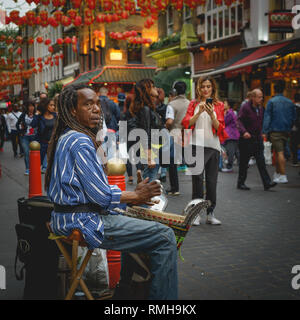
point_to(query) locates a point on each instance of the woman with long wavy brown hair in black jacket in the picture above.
(142, 108)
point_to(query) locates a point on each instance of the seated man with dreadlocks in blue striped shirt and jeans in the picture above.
(77, 185)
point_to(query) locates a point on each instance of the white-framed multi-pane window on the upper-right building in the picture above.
(222, 21)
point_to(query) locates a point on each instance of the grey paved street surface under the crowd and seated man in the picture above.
(249, 257)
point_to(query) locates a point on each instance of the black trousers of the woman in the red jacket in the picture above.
(211, 165)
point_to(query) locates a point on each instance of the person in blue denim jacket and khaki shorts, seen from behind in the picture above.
(279, 118)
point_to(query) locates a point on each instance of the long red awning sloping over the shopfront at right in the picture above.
(244, 61)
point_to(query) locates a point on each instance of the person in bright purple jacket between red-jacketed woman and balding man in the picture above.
(231, 144)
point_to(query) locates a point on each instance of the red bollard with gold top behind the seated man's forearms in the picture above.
(116, 170)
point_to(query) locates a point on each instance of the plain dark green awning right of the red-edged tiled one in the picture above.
(165, 79)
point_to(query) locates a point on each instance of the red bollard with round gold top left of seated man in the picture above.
(35, 176)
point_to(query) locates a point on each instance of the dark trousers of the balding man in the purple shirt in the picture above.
(248, 148)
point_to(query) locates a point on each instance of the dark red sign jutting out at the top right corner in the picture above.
(281, 22)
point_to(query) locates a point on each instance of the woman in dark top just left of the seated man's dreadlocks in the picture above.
(44, 122)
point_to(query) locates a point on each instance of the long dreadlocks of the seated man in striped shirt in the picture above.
(68, 100)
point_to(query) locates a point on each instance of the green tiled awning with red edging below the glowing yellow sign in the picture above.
(123, 74)
